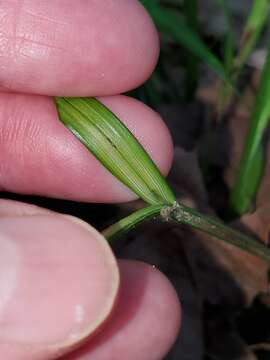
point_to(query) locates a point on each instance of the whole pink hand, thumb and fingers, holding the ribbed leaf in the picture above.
(61, 288)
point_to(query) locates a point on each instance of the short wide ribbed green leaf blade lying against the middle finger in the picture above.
(115, 146)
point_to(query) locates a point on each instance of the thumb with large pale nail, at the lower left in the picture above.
(58, 284)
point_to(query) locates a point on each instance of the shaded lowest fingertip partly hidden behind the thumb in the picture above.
(145, 321)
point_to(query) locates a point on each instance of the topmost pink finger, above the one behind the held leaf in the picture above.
(81, 48)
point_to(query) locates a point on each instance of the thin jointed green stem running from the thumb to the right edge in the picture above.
(188, 216)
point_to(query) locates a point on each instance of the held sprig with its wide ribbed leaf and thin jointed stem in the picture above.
(119, 151)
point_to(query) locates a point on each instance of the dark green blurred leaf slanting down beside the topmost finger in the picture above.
(174, 25)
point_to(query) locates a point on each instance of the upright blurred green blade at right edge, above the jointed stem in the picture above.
(251, 164)
